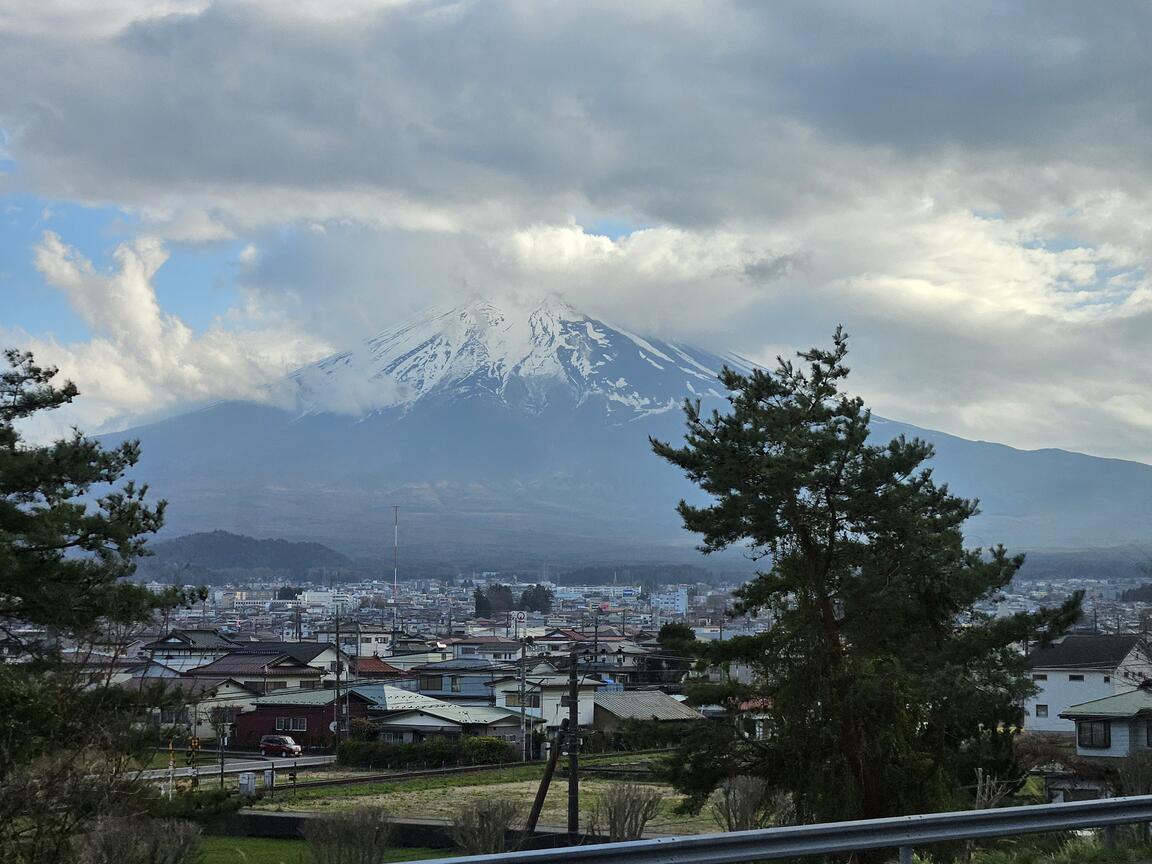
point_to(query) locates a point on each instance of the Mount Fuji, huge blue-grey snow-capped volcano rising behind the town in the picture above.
(511, 434)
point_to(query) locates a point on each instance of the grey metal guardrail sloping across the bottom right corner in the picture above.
(904, 833)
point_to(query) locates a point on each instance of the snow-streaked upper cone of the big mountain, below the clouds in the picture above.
(526, 358)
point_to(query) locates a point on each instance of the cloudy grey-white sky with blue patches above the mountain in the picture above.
(199, 196)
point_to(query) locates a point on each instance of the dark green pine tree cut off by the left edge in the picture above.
(64, 558)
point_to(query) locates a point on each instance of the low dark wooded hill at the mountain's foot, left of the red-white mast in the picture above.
(225, 551)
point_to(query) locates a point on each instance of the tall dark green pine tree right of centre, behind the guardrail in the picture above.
(881, 688)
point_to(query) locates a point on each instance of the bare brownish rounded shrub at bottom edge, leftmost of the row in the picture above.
(139, 842)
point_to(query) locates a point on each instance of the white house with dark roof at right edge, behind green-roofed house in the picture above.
(1080, 669)
